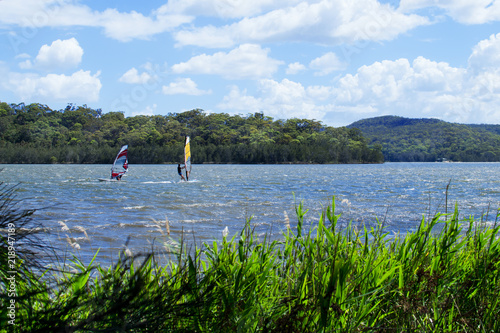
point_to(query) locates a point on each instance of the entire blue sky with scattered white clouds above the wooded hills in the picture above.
(336, 61)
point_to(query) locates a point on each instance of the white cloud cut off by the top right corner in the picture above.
(463, 11)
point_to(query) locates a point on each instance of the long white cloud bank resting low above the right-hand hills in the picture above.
(411, 88)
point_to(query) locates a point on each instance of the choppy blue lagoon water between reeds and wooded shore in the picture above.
(219, 196)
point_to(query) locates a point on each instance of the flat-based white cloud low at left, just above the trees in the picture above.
(81, 86)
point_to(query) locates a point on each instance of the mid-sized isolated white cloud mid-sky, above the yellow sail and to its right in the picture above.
(248, 61)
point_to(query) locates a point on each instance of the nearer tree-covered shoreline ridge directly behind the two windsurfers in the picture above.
(37, 134)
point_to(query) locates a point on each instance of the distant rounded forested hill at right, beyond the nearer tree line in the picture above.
(428, 140)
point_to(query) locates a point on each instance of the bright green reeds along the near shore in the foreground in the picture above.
(443, 277)
